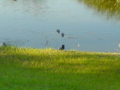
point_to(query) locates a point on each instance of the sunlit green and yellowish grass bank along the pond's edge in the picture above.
(49, 69)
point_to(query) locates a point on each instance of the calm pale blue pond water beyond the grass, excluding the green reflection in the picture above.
(33, 23)
